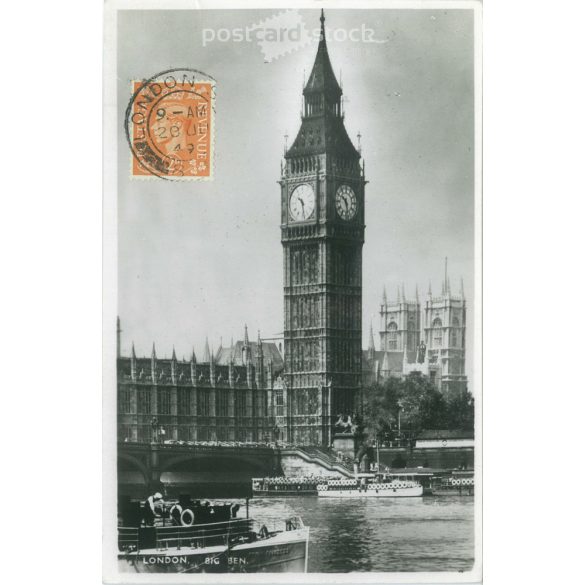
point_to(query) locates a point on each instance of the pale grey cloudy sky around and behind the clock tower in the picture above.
(200, 259)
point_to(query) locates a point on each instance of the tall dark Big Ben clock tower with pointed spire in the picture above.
(322, 222)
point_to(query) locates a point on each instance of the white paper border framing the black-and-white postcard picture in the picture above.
(109, 454)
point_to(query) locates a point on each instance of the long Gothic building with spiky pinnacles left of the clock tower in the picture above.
(233, 394)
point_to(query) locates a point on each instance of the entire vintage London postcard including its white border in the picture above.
(293, 271)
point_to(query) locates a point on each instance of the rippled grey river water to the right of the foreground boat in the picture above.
(380, 534)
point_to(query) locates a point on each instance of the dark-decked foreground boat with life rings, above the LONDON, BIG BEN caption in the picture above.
(197, 538)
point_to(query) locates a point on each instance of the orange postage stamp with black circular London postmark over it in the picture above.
(169, 125)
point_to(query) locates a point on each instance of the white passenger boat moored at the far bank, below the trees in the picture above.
(370, 485)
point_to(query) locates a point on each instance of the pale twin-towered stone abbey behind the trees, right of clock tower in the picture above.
(427, 337)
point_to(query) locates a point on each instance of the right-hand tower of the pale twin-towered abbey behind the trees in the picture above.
(444, 335)
